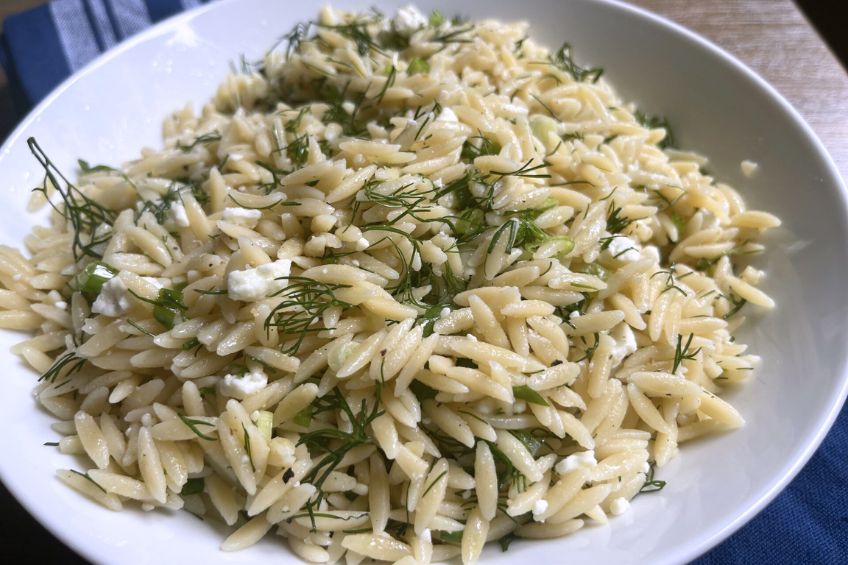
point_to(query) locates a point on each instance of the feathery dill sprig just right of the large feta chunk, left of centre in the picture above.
(303, 303)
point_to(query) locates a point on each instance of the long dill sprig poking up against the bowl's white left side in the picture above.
(83, 213)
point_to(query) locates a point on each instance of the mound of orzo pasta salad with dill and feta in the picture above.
(402, 287)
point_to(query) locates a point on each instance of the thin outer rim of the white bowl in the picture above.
(700, 544)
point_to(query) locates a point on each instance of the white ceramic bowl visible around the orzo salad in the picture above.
(107, 112)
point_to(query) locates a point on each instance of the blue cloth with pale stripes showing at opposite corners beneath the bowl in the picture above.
(807, 523)
